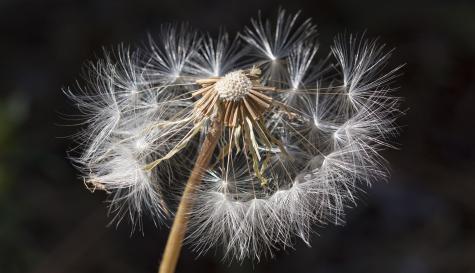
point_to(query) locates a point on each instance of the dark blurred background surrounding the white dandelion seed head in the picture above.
(423, 220)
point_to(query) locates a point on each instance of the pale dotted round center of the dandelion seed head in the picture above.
(233, 86)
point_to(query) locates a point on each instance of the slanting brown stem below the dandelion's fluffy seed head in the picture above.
(177, 232)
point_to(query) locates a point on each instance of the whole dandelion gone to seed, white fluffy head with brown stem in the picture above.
(278, 140)
